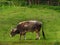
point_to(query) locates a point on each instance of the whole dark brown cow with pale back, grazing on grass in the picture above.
(28, 26)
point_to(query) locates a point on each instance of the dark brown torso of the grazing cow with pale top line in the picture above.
(29, 25)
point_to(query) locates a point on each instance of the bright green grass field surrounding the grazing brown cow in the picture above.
(11, 16)
